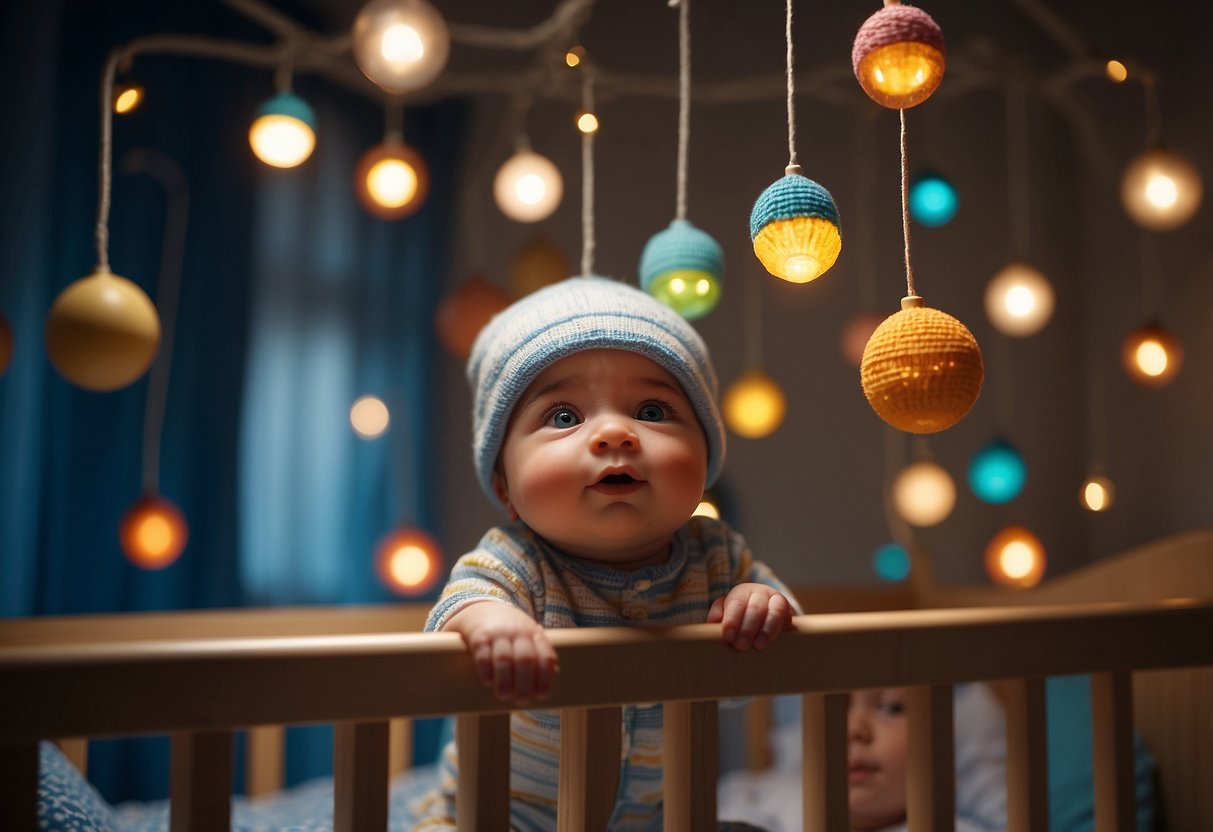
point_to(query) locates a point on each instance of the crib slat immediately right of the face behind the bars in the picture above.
(930, 782)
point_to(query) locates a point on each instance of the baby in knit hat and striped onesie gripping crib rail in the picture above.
(596, 428)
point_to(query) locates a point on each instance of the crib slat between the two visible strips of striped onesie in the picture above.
(590, 760)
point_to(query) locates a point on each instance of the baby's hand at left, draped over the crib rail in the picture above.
(511, 651)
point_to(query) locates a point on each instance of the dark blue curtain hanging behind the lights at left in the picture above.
(294, 303)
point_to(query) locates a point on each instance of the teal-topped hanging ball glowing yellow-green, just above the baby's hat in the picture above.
(684, 267)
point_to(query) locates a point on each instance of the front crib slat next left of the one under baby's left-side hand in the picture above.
(360, 777)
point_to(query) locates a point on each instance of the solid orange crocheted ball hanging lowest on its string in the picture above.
(922, 369)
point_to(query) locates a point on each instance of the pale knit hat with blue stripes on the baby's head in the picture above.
(571, 317)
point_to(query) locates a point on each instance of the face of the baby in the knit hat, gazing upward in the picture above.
(605, 458)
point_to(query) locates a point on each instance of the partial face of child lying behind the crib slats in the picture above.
(876, 757)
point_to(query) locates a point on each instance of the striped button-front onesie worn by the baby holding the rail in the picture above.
(512, 565)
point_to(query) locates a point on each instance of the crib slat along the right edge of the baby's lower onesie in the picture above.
(692, 761)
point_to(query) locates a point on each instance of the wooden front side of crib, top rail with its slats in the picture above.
(202, 689)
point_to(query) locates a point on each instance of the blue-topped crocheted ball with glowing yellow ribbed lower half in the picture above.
(795, 229)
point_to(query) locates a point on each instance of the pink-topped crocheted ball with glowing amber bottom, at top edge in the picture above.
(898, 56)
